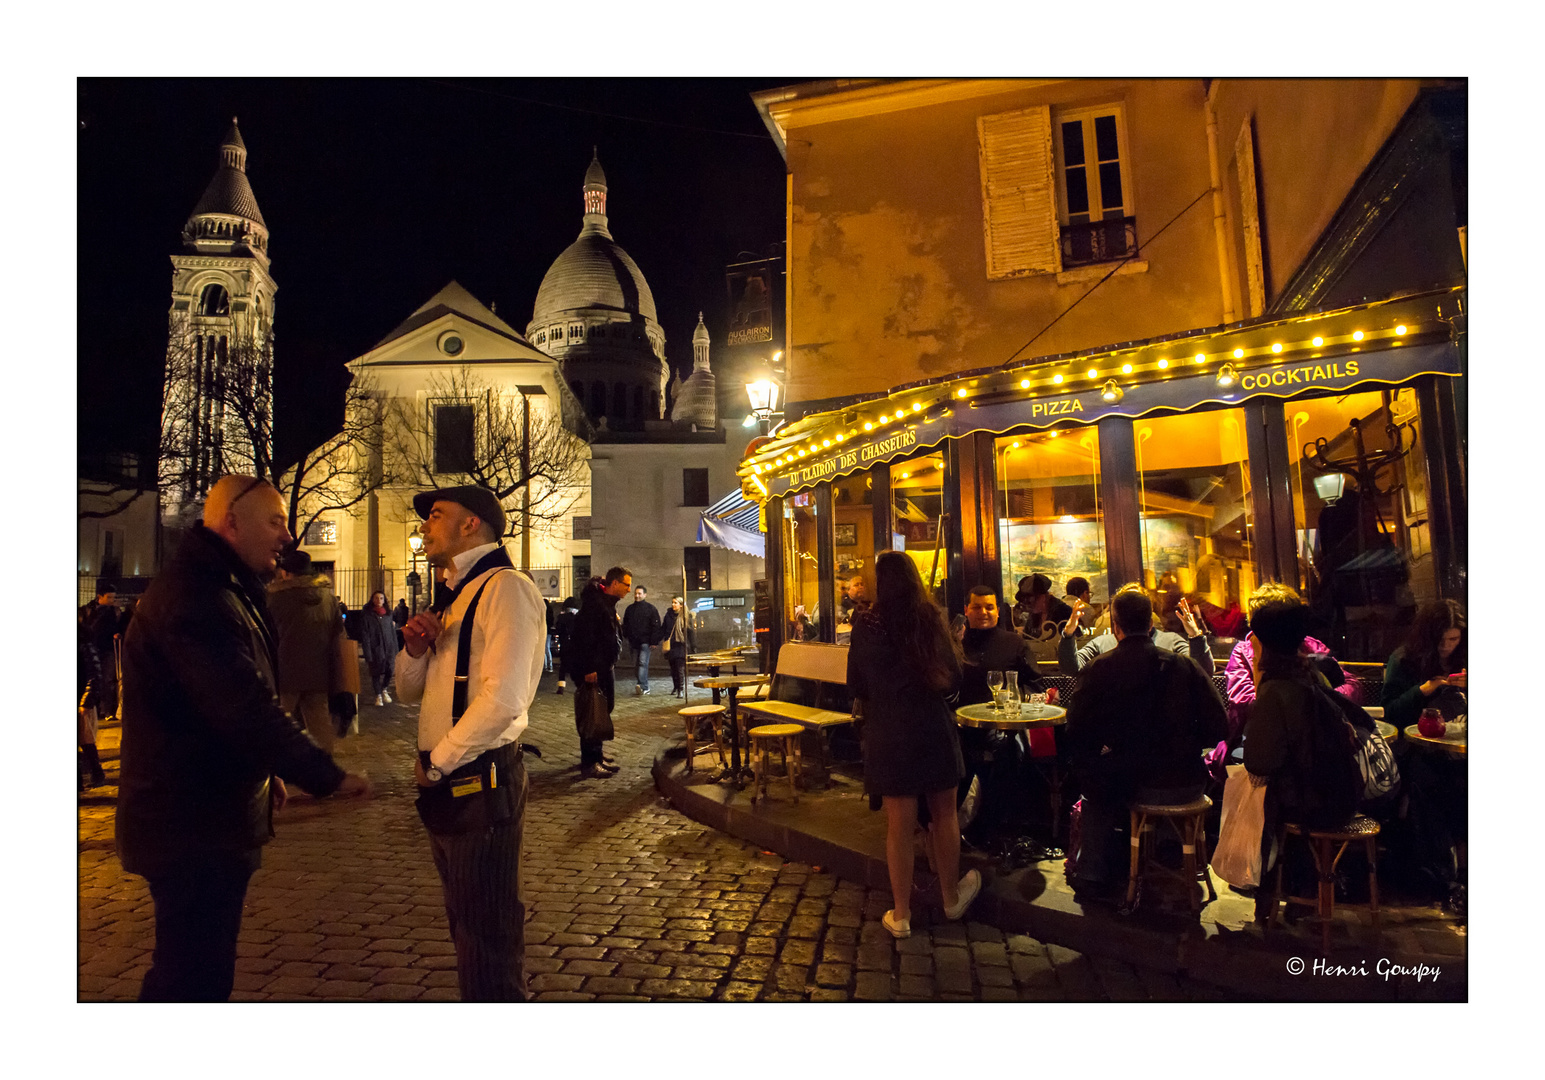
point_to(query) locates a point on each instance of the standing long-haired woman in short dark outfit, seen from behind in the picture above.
(903, 665)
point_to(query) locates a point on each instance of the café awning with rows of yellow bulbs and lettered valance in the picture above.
(1387, 344)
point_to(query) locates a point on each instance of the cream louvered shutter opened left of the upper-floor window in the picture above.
(1019, 194)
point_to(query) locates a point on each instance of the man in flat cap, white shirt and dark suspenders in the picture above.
(475, 670)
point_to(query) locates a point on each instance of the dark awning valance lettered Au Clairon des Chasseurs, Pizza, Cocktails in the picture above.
(1181, 393)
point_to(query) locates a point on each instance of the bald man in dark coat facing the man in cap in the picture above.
(206, 745)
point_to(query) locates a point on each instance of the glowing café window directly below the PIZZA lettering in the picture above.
(1053, 521)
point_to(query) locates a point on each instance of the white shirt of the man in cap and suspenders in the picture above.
(509, 637)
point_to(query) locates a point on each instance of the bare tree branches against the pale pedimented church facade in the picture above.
(531, 457)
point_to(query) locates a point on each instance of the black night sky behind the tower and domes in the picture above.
(379, 192)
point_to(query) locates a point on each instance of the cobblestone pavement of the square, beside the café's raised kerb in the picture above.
(628, 900)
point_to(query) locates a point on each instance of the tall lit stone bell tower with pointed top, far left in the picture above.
(217, 409)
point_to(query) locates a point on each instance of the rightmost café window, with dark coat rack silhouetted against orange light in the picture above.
(1365, 557)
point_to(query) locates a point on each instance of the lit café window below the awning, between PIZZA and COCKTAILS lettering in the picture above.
(1194, 489)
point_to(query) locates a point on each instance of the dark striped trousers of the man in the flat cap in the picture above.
(481, 877)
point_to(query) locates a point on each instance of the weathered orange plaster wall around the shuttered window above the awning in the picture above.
(888, 265)
